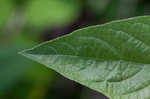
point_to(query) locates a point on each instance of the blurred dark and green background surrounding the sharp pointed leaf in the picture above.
(25, 23)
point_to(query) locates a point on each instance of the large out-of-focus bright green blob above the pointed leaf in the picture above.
(49, 12)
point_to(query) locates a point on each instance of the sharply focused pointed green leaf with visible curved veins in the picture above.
(113, 58)
